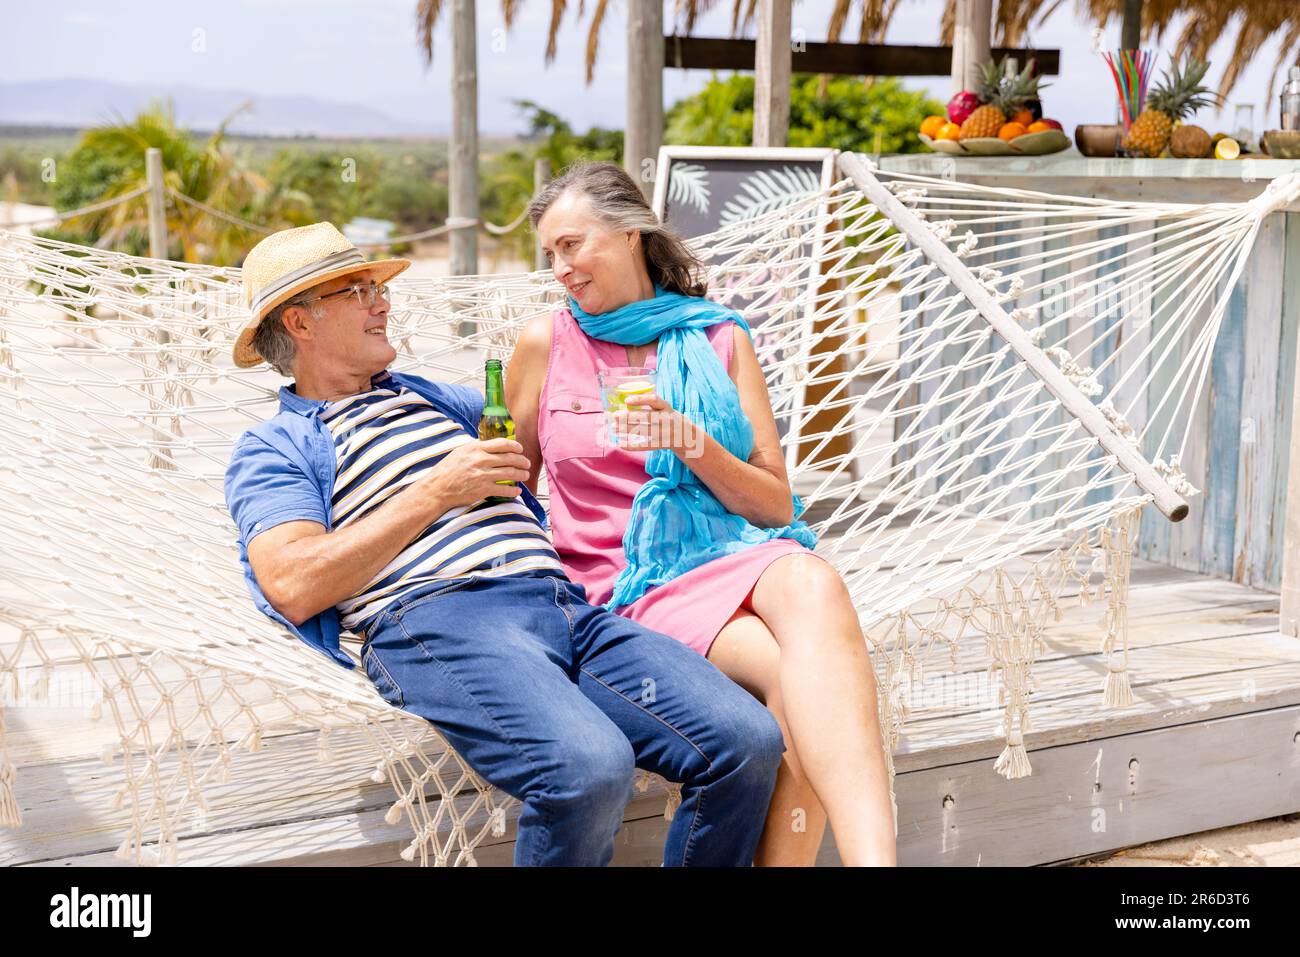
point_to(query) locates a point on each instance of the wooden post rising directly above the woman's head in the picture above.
(644, 133)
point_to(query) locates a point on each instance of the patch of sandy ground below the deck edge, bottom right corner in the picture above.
(1272, 843)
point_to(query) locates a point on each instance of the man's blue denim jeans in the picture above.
(554, 701)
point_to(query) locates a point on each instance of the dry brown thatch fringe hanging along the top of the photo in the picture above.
(1199, 24)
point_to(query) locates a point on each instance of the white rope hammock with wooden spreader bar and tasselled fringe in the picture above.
(978, 391)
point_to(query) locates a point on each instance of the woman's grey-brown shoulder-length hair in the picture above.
(619, 205)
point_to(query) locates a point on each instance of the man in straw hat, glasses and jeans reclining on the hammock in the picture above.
(363, 505)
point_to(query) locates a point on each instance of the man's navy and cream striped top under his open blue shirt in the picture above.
(384, 441)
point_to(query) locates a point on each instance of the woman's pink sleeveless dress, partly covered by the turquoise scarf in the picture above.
(592, 483)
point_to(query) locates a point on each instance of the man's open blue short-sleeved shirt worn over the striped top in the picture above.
(283, 470)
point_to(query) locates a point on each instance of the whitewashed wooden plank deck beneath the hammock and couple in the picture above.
(1210, 742)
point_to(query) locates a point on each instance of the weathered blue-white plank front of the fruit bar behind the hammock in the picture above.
(1238, 447)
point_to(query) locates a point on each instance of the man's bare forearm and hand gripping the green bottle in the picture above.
(305, 570)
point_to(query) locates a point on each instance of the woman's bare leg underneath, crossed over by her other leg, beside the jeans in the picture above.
(747, 653)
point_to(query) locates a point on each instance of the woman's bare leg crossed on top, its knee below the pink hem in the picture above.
(829, 695)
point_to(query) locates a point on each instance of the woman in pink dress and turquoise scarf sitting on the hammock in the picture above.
(688, 525)
